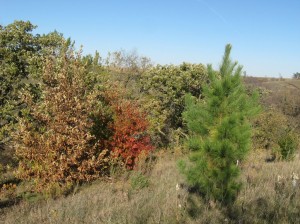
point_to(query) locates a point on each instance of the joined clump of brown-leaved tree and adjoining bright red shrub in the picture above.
(76, 132)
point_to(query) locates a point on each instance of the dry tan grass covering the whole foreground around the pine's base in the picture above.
(262, 200)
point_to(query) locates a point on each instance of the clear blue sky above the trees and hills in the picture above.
(265, 34)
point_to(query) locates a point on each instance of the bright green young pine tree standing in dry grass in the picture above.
(219, 131)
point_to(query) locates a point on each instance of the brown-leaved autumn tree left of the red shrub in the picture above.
(54, 143)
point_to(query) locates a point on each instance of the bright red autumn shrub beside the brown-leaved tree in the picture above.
(129, 130)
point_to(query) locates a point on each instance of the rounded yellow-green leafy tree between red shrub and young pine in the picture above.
(163, 89)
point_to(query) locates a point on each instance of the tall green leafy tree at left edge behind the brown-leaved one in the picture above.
(22, 56)
